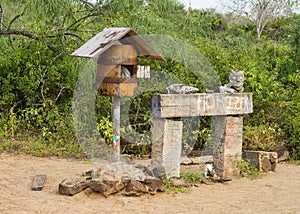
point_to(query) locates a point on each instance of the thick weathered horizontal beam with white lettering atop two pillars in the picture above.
(191, 105)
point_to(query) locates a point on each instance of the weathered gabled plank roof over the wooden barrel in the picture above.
(109, 36)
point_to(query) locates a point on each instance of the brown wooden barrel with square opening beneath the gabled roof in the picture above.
(117, 71)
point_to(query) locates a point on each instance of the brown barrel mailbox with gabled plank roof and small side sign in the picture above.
(118, 50)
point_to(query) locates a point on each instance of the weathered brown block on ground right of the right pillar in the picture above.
(264, 161)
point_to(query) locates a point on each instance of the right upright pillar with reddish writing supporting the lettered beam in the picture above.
(228, 132)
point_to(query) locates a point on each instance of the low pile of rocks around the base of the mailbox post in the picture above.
(117, 178)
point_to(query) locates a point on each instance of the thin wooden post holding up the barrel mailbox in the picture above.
(116, 127)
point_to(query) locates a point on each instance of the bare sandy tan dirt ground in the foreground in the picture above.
(276, 192)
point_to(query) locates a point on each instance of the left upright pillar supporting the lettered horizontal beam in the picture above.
(166, 145)
